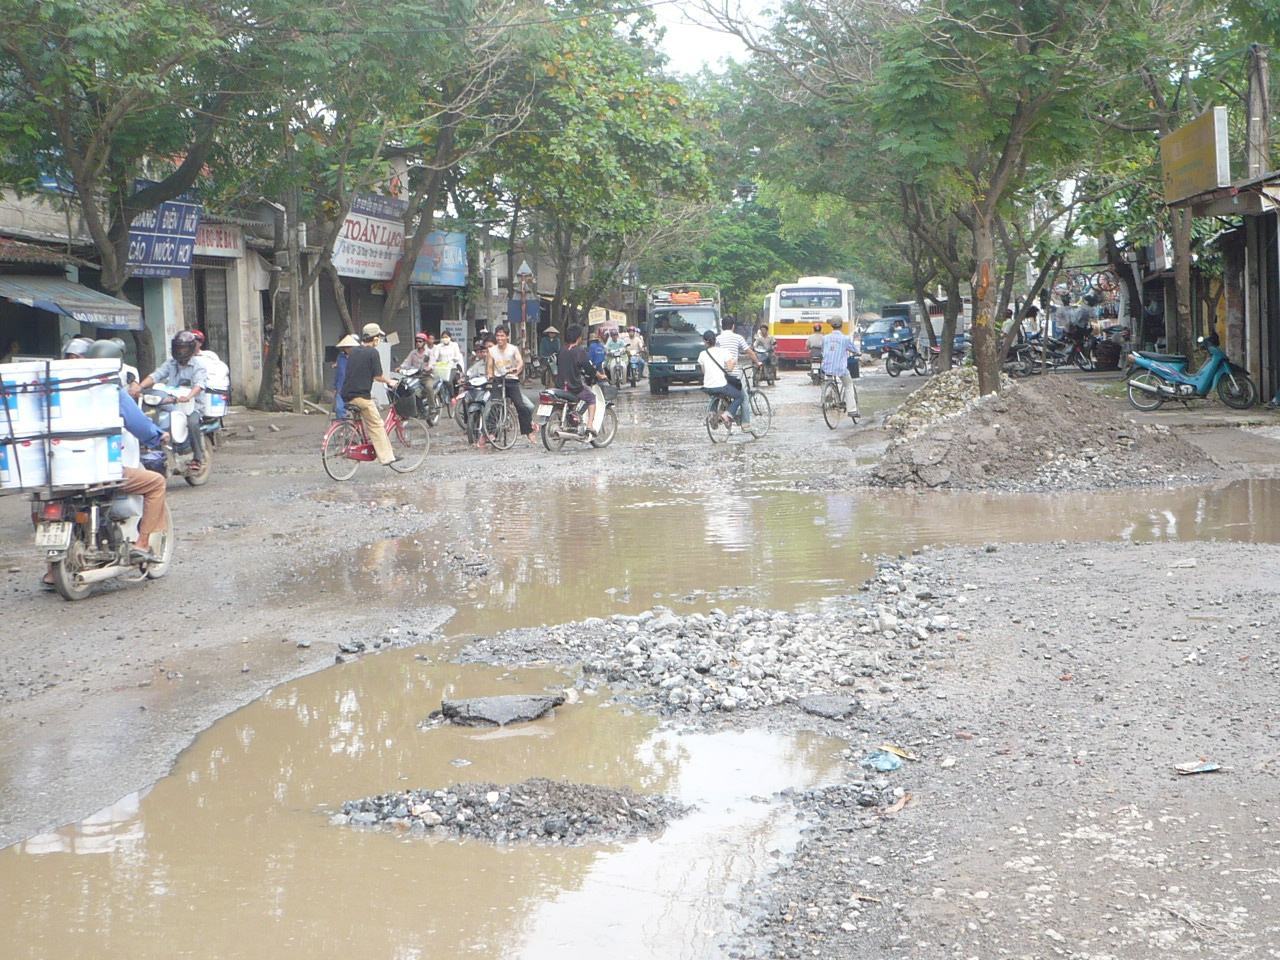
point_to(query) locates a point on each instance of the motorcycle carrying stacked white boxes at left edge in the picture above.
(88, 536)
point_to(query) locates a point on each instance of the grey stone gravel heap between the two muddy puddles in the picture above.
(701, 664)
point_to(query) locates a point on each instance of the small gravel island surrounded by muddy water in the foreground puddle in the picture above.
(536, 811)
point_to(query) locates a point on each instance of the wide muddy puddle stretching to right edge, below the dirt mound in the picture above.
(625, 547)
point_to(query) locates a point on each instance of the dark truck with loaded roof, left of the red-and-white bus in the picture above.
(676, 317)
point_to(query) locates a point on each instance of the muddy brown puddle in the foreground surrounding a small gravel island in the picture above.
(234, 856)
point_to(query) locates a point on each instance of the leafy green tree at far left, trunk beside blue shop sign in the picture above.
(107, 95)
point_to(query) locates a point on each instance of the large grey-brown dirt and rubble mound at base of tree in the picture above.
(1049, 432)
